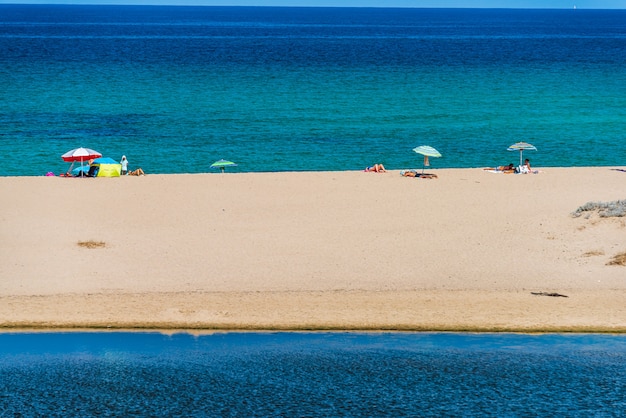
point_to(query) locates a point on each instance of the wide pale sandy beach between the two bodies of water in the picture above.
(471, 250)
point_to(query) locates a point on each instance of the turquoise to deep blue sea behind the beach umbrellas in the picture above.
(287, 89)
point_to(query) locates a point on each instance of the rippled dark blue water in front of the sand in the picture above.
(312, 374)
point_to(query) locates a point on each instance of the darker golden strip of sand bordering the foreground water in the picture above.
(368, 312)
